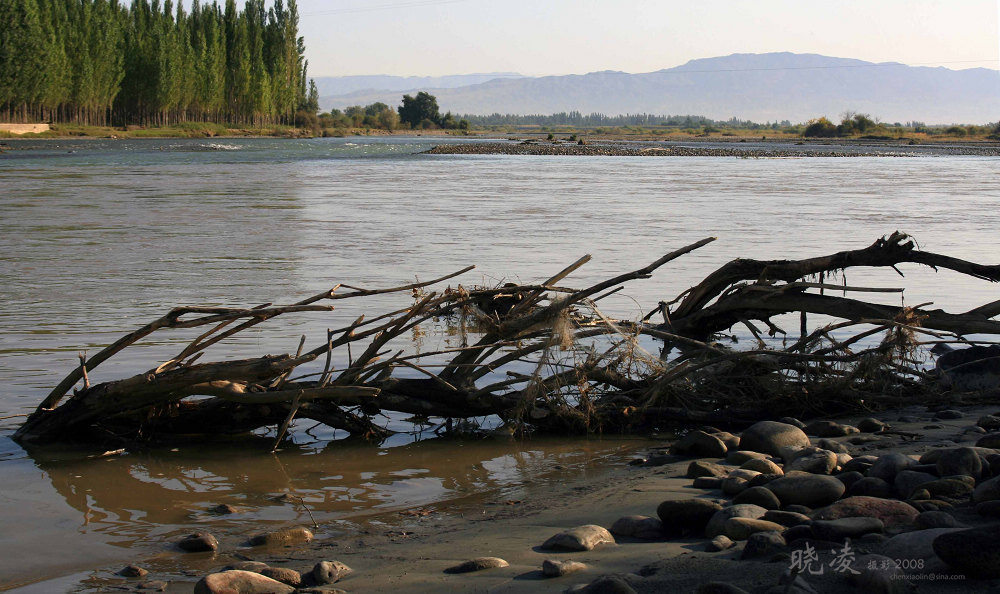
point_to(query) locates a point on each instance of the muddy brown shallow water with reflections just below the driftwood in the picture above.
(137, 497)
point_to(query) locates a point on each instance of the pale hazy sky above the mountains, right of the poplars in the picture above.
(539, 37)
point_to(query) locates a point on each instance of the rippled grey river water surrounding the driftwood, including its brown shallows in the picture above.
(99, 237)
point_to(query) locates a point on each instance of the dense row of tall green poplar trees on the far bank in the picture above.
(103, 62)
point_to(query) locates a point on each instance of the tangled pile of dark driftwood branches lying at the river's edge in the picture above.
(543, 357)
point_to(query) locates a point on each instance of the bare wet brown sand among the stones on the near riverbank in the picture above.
(409, 551)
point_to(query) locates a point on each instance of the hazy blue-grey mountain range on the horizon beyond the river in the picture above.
(758, 87)
